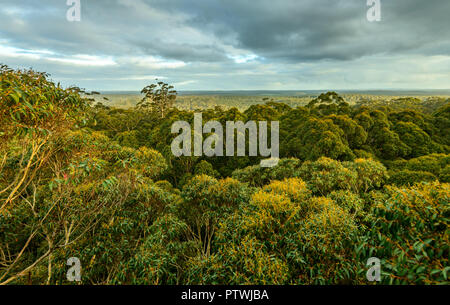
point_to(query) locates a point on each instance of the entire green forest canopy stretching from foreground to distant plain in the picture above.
(101, 184)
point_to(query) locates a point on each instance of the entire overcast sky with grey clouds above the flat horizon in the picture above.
(231, 44)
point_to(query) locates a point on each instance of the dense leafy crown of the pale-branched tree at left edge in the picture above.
(30, 104)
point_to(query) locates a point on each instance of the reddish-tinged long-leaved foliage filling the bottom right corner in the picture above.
(411, 235)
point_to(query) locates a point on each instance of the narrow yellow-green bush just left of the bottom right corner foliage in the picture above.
(325, 240)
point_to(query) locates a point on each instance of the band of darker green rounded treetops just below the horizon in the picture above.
(328, 126)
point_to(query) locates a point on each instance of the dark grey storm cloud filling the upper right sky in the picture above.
(312, 30)
